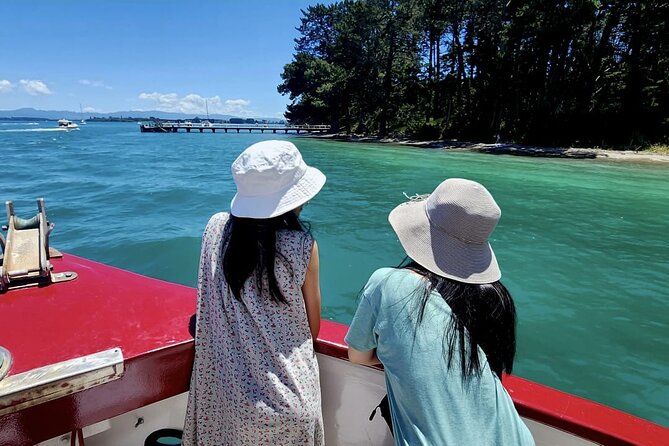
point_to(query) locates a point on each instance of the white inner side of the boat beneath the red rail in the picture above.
(350, 393)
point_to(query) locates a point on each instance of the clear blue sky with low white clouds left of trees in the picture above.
(147, 55)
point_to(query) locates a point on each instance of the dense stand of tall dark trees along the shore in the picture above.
(533, 71)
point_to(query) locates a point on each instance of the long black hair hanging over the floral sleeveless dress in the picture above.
(250, 249)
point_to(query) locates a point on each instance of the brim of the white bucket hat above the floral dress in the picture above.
(268, 206)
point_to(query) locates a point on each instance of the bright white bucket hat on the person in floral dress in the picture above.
(272, 179)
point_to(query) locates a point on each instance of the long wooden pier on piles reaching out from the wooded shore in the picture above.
(188, 127)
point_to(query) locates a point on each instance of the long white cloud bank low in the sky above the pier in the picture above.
(196, 104)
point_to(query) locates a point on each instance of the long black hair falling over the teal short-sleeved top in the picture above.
(483, 315)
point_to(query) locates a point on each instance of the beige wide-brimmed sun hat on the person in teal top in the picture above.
(447, 232)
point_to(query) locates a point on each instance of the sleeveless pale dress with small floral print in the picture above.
(255, 377)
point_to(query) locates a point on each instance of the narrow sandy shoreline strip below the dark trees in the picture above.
(512, 149)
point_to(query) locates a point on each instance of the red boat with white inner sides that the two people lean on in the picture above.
(98, 355)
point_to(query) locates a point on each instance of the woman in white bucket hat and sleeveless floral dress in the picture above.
(255, 377)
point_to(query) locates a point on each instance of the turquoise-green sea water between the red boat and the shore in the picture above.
(582, 243)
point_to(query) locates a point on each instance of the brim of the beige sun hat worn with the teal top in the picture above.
(439, 252)
